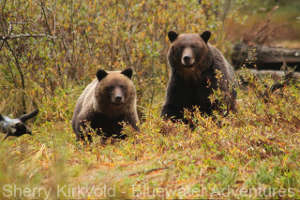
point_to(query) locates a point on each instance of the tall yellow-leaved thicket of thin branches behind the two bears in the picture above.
(48, 46)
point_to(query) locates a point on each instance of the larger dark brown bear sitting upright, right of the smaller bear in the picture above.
(194, 75)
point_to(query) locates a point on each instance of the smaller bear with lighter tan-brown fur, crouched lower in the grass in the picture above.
(105, 103)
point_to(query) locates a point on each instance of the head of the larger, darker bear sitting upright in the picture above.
(189, 53)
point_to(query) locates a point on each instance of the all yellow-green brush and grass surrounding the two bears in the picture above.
(50, 50)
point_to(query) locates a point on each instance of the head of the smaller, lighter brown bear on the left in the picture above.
(114, 89)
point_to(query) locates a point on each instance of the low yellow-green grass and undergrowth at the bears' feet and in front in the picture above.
(253, 153)
